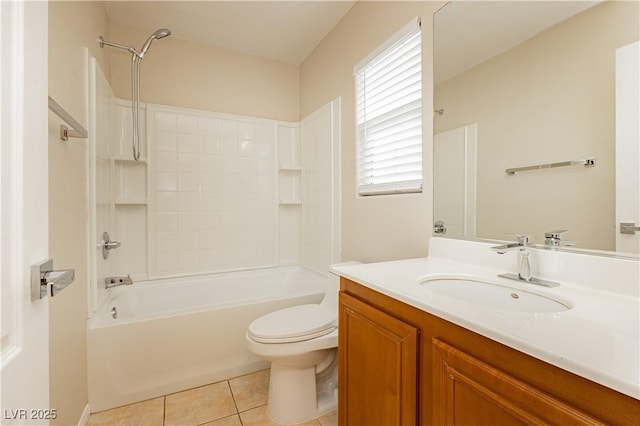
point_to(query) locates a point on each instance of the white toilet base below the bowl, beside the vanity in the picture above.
(297, 395)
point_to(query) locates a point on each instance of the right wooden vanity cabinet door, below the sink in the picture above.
(469, 392)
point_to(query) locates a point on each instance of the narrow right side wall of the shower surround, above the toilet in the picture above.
(316, 189)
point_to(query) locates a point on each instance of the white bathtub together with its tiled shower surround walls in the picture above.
(229, 202)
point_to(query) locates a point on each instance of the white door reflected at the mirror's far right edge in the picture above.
(628, 147)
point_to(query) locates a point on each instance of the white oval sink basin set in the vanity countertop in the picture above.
(493, 295)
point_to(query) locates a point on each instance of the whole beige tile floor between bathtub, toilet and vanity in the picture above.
(240, 401)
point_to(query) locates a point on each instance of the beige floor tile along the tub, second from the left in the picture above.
(199, 405)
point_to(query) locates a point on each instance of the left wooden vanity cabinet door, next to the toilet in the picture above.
(378, 367)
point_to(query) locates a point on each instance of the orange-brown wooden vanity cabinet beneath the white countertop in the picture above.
(402, 366)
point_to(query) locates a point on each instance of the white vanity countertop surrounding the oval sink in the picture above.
(598, 338)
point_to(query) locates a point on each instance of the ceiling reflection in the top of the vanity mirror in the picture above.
(468, 33)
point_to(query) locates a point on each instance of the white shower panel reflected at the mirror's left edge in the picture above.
(454, 181)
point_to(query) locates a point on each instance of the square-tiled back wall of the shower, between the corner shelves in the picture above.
(213, 192)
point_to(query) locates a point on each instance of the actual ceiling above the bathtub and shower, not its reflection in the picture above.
(285, 31)
